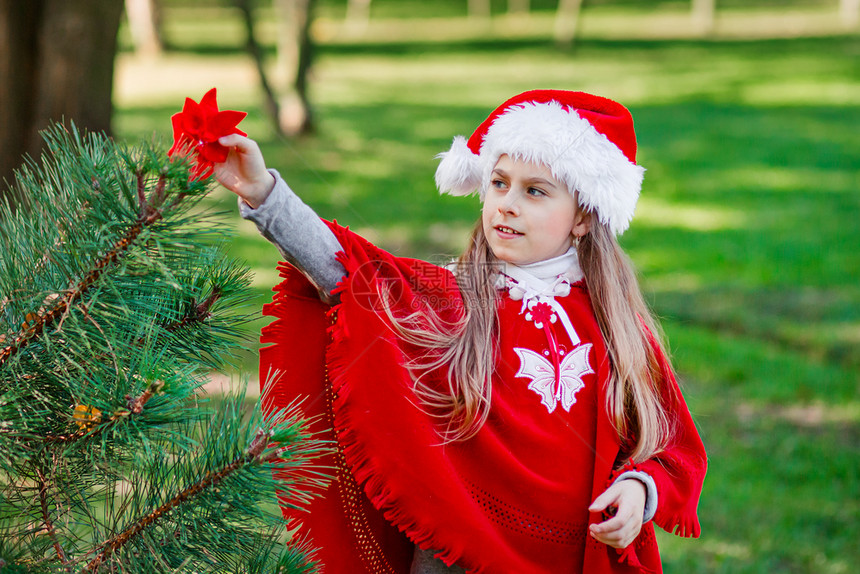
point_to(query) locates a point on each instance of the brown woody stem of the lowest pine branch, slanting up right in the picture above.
(252, 455)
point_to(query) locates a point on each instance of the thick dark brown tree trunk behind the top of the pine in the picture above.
(56, 62)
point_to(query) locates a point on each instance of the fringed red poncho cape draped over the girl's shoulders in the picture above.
(396, 486)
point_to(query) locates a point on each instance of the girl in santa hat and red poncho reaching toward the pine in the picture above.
(515, 413)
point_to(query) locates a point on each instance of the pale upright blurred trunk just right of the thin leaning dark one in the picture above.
(295, 51)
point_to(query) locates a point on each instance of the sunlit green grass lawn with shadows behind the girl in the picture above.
(746, 233)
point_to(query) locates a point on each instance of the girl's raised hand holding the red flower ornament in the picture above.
(244, 171)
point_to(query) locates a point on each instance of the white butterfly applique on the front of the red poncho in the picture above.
(541, 371)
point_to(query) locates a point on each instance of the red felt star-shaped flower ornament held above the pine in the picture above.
(196, 129)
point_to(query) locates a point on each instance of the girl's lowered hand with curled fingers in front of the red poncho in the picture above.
(627, 497)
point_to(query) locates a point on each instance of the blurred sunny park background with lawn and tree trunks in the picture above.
(746, 236)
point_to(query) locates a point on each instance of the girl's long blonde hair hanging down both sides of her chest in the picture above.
(637, 391)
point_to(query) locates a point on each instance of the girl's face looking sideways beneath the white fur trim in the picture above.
(528, 215)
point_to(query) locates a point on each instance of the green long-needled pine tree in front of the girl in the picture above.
(115, 303)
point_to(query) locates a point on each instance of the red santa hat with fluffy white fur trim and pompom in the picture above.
(587, 141)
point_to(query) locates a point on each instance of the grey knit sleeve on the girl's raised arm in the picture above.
(299, 234)
